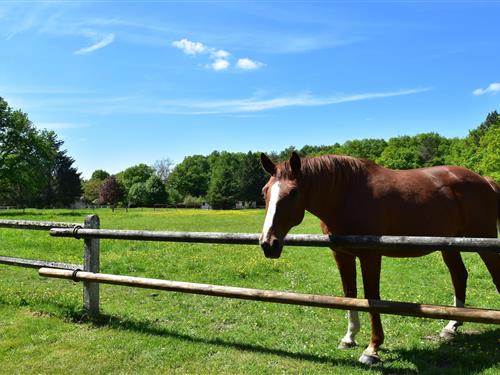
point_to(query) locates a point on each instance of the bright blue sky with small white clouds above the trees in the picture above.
(136, 81)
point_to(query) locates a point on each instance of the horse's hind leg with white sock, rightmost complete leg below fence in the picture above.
(453, 261)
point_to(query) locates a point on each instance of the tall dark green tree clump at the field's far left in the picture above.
(35, 170)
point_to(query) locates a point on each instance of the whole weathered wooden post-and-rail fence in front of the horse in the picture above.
(88, 272)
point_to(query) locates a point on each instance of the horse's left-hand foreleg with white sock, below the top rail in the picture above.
(347, 268)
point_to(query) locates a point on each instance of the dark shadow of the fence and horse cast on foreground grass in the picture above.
(468, 353)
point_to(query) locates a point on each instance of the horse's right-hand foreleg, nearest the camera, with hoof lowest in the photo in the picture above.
(370, 268)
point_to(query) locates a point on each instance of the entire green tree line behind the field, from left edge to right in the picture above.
(36, 171)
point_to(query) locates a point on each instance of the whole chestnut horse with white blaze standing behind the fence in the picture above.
(357, 196)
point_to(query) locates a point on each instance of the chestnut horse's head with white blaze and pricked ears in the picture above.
(285, 205)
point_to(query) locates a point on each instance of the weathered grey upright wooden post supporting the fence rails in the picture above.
(91, 264)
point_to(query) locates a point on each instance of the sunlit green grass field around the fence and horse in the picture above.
(144, 331)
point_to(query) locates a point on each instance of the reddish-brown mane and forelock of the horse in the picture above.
(321, 168)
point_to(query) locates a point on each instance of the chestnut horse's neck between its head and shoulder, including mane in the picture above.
(326, 188)
